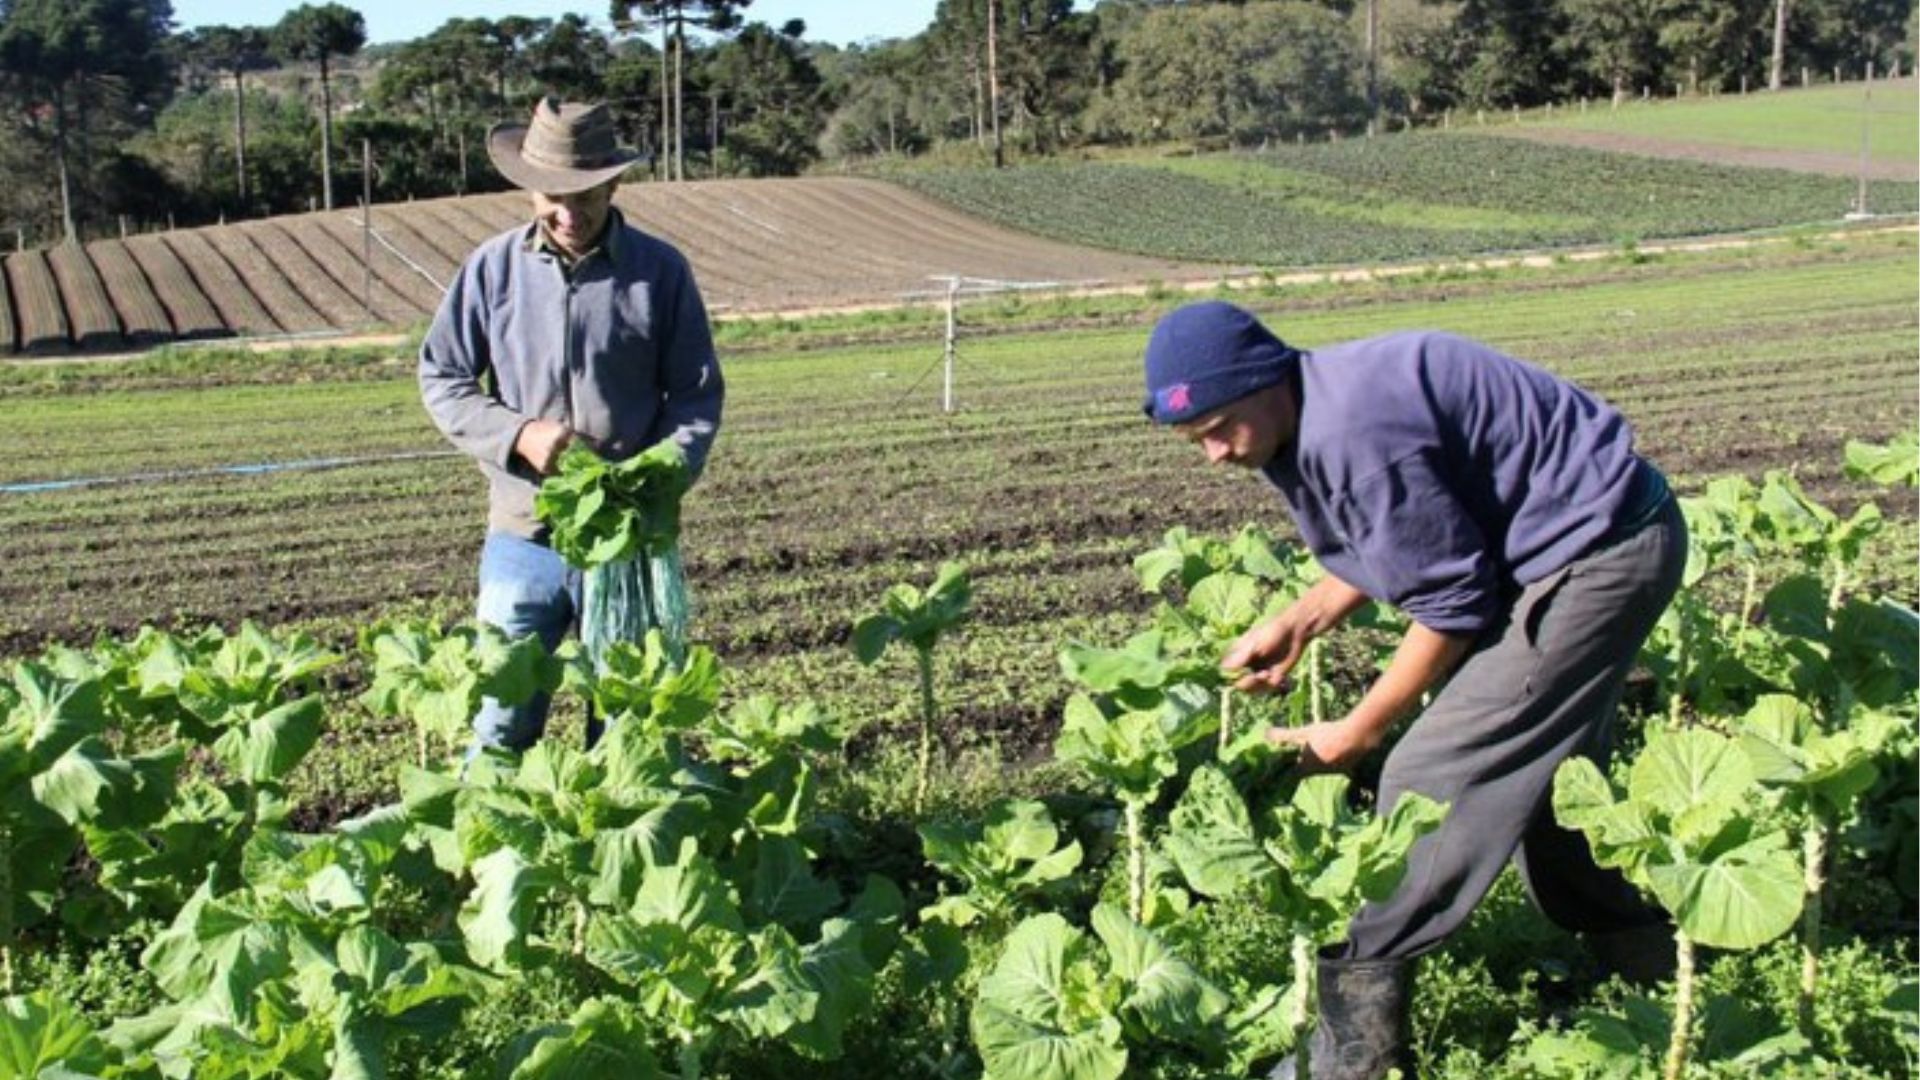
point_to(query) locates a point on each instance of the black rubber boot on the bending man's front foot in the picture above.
(1364, 1023)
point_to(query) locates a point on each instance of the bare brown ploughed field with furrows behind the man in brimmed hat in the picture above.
(757, 245)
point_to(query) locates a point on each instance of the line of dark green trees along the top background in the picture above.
(112, 112)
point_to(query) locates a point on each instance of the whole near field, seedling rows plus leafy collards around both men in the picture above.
(247, 852)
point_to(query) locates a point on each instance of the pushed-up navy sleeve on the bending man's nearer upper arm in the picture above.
(1420, 547)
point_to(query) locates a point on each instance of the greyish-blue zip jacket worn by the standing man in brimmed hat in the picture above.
(619, 351)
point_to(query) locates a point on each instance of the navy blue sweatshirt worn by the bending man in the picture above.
(1441, 476)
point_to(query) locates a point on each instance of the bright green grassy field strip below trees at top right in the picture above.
(1825, 120)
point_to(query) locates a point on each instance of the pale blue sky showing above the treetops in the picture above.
(836, 22)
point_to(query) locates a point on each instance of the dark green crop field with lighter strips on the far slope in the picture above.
(1403, 197)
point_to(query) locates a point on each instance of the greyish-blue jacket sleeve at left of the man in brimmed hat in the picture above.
(454, 358)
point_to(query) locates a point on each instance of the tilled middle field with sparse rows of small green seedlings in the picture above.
(838, 474)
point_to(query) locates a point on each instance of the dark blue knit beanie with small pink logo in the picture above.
(1209, 355)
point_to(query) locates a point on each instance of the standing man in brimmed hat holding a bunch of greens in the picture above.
(571, 328)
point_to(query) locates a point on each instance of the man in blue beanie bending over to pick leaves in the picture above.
(1506, 514)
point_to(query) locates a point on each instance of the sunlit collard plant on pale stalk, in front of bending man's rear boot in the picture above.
(1687, 831)
